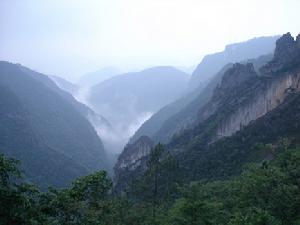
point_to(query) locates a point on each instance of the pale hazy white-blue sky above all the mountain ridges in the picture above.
(71, 37)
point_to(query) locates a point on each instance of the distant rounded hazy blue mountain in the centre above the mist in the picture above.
(145, 91)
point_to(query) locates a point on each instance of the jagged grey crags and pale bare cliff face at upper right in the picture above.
(262, 94)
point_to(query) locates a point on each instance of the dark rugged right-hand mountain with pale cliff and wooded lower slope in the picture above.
(247, 111)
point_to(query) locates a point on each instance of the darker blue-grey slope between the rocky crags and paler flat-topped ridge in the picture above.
(179, 115)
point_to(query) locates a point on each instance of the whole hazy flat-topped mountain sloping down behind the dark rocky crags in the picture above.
(177, 115)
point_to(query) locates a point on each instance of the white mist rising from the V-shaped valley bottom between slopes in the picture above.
(121, 127)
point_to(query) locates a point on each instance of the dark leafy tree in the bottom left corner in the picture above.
(18, 200)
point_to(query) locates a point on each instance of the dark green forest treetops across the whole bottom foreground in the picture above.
(267, 193)
